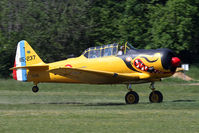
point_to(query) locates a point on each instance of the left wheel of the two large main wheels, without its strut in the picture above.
(132, 97)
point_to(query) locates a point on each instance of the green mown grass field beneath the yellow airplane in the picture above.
(67, 108)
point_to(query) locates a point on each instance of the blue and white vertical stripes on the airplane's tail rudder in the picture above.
(20, 59)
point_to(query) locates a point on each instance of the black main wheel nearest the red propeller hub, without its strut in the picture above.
(156, 97)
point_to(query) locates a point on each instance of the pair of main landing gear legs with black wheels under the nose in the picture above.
(133, 98)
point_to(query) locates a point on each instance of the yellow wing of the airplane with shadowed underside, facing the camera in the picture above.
(95, 76)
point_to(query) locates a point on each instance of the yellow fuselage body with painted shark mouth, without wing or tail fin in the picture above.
(132, 62)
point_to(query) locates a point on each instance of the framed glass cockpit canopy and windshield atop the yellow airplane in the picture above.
(106, 50)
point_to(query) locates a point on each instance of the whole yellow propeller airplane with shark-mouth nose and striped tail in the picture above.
(99, 65)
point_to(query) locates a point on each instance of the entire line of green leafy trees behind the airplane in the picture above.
(57, 29)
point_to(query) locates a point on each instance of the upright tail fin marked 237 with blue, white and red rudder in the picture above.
(25, 56)
